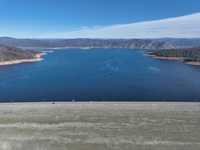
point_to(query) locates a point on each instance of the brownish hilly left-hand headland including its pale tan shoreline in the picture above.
(11, 55)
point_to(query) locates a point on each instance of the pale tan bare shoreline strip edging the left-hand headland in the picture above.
(18, 61)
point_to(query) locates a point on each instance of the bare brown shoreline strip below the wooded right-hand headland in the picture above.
(179, 59)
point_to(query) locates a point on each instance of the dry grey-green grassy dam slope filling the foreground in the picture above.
(100, 126)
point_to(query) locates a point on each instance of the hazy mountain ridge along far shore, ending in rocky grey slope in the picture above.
(88, 43)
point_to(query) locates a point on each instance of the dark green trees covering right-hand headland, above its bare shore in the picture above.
(188, 54)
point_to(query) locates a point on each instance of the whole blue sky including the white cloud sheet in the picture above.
(100, 18)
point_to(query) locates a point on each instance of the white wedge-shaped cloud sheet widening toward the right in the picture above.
(179, 27)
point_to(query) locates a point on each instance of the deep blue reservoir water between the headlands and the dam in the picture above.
(124, 75)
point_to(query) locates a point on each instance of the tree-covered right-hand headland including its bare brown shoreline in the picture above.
(189, 56)
